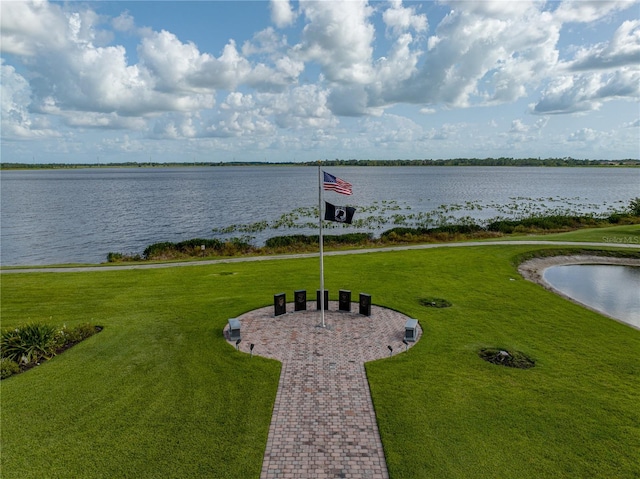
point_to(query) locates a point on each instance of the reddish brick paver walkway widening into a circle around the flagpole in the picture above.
(323, 423)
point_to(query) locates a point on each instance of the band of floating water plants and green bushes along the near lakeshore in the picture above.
(451, 222)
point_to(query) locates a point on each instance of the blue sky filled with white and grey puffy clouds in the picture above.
(289, 81)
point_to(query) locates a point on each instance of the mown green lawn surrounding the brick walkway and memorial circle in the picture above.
(159, 393)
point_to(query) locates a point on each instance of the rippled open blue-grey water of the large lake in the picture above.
(80, 215)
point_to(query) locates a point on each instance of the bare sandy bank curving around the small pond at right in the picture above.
(533, 269)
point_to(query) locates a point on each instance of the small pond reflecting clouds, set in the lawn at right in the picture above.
(612, 289)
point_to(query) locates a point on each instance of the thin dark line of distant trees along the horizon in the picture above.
(502, 162)
